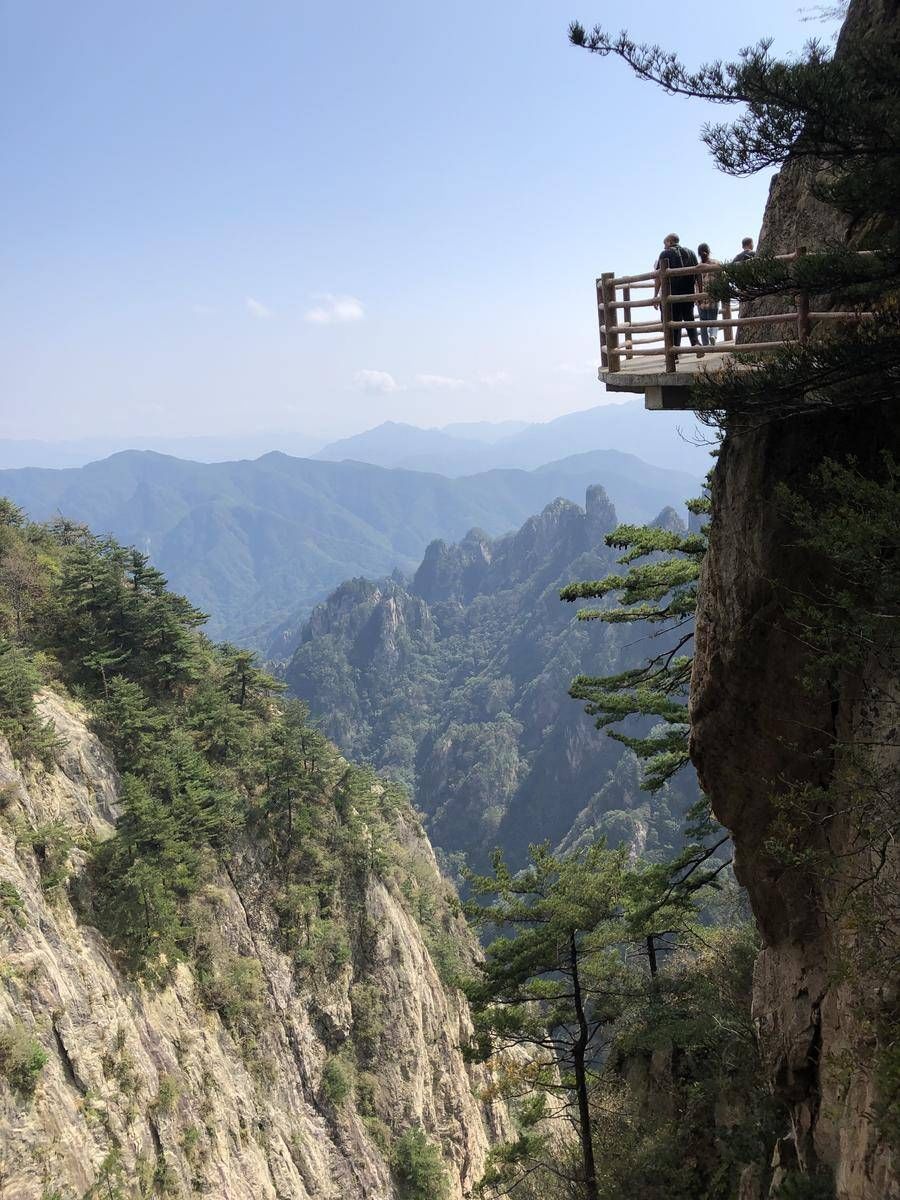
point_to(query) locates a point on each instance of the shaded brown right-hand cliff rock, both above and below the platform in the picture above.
(760, 733)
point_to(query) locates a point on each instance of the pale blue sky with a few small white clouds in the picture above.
(278, 214)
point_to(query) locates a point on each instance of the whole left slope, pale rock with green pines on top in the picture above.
(229, 958)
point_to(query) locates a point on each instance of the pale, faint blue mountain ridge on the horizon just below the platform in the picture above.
(661, 439)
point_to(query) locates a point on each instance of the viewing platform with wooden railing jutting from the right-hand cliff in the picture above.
(641, 356)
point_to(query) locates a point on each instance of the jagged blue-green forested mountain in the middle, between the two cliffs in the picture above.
(458, 681)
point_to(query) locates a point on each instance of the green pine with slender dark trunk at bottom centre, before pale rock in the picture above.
(555, 982)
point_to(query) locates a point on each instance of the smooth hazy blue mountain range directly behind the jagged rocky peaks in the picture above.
(259, 543)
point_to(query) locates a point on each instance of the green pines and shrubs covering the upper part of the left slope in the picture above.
(218, 773)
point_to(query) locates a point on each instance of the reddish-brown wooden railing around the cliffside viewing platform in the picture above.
(623, 338)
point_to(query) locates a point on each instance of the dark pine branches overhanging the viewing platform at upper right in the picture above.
(838, 118)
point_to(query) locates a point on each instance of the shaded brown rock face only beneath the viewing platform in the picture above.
(758, 731)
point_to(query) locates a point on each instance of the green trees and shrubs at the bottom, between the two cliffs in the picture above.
(601, 970)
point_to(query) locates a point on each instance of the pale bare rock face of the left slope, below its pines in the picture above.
(155, 1089)
